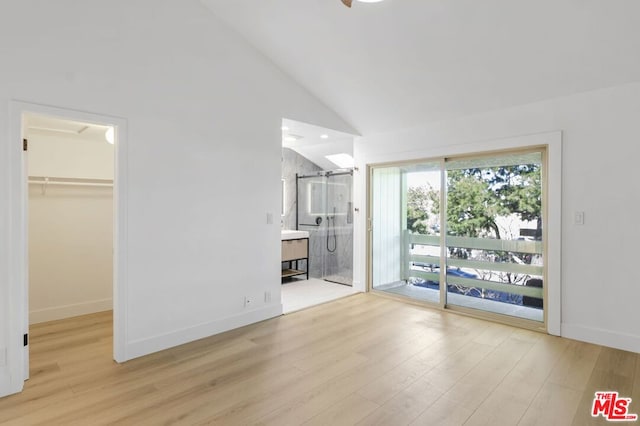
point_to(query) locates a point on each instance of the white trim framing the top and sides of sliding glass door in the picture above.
(553, 142)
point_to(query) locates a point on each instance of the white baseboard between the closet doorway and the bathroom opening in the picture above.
(150, 345)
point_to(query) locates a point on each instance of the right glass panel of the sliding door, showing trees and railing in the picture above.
(494, 234)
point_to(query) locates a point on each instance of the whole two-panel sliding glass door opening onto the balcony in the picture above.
(473, 223)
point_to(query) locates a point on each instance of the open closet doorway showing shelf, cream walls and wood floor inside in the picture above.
(70, 173)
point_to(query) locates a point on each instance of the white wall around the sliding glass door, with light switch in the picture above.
(600, 135)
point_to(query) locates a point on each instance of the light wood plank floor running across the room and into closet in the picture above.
(361, 360)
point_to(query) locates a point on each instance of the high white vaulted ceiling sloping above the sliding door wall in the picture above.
(399, 63)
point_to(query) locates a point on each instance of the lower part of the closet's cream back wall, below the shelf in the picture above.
(70, 251)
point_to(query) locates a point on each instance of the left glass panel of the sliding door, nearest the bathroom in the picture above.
(406, 230)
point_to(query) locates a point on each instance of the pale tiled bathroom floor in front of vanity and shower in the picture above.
(300, 293)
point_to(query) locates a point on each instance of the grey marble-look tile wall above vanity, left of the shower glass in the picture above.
(293, 163)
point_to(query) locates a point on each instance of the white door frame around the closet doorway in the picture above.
(17, 353)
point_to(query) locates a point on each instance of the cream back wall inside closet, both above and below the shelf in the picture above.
(70, 227)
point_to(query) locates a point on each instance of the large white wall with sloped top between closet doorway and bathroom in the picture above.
(203, 114)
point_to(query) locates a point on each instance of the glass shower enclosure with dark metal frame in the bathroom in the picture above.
(325, 209)
